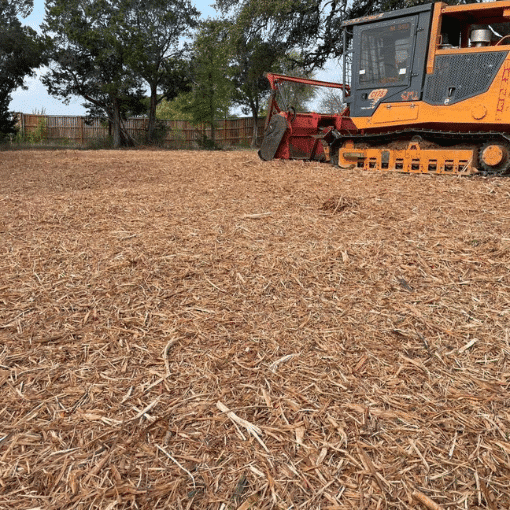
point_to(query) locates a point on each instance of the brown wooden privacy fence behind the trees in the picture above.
(180, 134)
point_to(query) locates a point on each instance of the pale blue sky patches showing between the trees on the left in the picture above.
(36, 99)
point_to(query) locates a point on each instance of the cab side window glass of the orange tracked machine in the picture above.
(385, 57)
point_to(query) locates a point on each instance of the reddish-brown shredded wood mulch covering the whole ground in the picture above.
(198, 330)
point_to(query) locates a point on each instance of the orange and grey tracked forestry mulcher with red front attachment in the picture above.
(427, 90)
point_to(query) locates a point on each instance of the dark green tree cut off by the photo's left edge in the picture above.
(21, 52)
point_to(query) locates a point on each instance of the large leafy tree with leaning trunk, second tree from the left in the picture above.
(88, 59)
